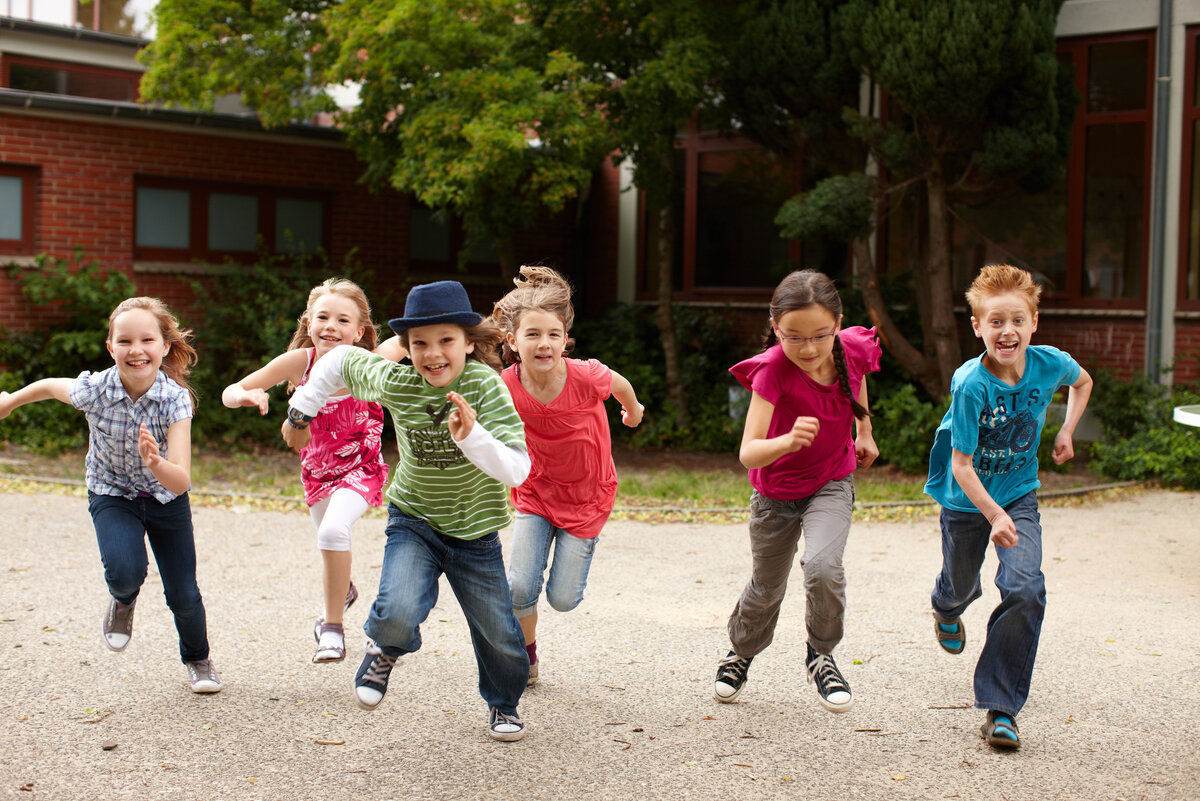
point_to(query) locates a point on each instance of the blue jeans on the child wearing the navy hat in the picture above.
(415, 558)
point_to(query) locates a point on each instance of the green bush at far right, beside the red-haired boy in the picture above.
(1141, 438)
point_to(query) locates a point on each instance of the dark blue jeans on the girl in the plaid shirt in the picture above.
(122, 528)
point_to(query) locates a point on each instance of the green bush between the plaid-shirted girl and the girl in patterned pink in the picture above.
(247, 316)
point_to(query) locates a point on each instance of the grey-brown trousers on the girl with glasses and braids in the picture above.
(776, 529)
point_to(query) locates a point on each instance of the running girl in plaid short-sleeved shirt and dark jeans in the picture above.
(140, 462)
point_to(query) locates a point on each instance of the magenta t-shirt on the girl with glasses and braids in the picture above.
(782, 383)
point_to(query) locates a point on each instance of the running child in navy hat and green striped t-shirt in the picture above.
(461, 443)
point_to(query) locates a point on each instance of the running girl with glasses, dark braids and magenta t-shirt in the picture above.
(806, 393)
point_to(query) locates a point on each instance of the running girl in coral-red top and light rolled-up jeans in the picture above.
(573, 484)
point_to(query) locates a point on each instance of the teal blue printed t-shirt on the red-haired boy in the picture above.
(999, 425)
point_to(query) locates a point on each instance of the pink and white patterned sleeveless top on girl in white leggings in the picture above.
(345, 450)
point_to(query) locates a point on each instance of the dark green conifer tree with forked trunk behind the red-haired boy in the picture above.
(980, 109)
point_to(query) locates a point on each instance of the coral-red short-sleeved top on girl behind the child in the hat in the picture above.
(573, 483)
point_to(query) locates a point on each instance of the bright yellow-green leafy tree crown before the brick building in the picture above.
(463, 106)
